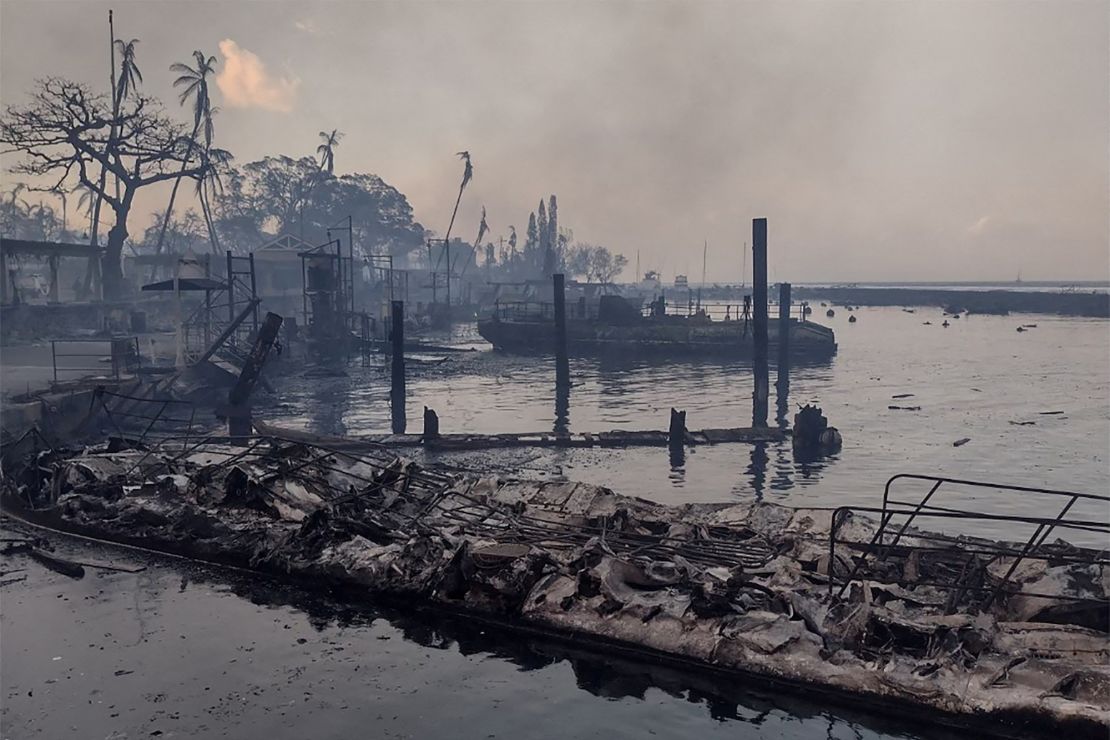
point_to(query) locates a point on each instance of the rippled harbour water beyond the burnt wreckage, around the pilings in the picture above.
(1035, 407)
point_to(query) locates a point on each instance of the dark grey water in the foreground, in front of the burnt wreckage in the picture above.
(183, 652)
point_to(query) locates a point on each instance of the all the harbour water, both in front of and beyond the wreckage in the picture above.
(186, 652)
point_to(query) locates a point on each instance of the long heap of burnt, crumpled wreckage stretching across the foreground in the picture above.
(956, 626)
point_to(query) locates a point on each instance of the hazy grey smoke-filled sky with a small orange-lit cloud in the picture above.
(882, 140)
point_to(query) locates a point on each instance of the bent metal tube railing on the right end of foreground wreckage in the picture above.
(899, 554)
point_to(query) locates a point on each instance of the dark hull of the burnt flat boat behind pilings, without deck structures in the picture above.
(672, 336)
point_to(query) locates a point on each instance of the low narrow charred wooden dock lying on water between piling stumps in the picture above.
(615, 439)
